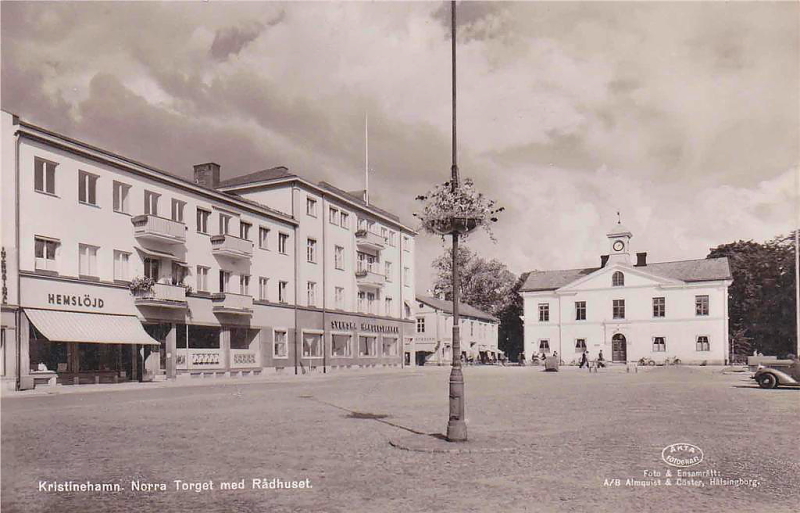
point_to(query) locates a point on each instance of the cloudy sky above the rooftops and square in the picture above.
(684, 117)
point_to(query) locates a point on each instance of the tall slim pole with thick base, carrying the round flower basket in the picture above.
(456, 427)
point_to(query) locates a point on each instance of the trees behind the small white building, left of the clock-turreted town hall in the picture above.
(487, 285)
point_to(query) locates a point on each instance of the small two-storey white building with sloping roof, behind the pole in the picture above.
(433, 342)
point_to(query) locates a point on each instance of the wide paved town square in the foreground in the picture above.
(566, 441)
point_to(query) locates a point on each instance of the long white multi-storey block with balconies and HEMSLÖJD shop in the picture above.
(114, 270)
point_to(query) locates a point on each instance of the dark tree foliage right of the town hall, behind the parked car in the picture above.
(761, 300)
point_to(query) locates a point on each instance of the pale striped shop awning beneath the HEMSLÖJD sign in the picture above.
(90, 328)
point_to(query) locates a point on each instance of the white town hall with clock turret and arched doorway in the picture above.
(630, 310)
